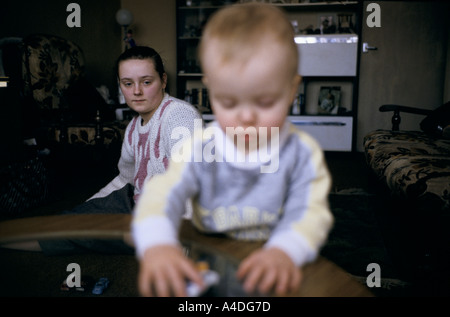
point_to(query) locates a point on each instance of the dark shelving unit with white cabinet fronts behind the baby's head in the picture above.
(335, 131)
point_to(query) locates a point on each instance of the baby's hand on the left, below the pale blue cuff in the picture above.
(163, 272)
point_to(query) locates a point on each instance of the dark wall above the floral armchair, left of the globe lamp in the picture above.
(99, 35)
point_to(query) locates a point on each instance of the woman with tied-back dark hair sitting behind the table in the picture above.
(146, 147)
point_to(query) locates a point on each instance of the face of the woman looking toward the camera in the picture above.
(141, 86)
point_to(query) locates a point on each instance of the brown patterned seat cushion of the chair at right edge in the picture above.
(411, 164)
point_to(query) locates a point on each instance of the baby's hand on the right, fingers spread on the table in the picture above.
(269, 269)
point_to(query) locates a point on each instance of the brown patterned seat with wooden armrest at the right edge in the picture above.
(413, 169)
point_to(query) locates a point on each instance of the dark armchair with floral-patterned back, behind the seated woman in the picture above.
(70, 110)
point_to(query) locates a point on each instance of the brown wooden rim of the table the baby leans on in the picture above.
(321, 278)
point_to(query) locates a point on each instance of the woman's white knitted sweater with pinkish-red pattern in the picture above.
(146, 148)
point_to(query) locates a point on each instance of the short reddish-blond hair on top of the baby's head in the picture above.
(240, 29)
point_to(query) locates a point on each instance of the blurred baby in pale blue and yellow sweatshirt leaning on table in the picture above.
(249, 61)
